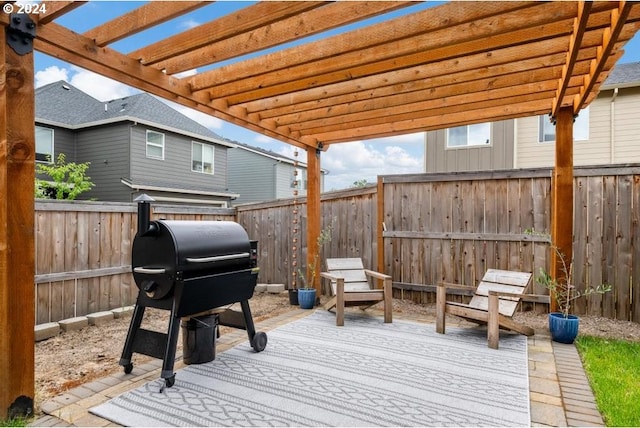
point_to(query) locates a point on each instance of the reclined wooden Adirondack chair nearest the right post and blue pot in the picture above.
(494, 302)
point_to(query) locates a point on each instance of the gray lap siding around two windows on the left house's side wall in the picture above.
(175, 169)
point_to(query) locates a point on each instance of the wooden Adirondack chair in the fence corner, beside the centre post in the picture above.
(351, 287)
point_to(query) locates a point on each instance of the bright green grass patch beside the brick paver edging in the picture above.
(613, 369)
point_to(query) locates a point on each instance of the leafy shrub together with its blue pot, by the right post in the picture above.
(564, 326)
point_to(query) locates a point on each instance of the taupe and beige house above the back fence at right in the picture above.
(606, 132)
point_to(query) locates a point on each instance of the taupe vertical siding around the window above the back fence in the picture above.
(495, 156)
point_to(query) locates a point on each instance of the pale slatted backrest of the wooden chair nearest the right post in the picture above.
(505, 281)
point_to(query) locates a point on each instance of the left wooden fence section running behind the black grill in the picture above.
(83, 254)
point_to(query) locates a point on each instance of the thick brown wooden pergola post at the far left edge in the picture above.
(17, 258)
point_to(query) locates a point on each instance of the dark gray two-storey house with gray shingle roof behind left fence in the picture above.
(137, 144)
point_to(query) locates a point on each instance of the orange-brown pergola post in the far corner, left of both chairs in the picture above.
(313, 215)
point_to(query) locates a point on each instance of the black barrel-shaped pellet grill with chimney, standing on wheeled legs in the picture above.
(189, 268)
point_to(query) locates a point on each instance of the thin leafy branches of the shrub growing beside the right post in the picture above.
(563, 288)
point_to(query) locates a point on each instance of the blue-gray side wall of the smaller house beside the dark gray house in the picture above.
(251, 175)
